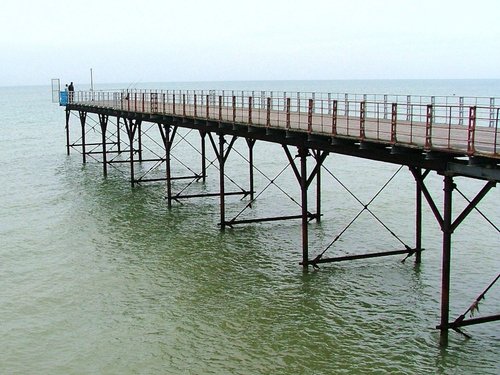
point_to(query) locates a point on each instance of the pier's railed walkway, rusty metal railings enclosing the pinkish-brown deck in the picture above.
(451, 123)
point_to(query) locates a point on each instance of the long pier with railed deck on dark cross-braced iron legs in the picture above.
(450, 136)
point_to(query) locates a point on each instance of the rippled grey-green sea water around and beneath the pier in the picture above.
(98, 277)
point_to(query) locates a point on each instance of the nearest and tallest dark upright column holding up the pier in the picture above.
(446, 262)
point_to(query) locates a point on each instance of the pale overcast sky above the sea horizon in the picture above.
(218, 40)
